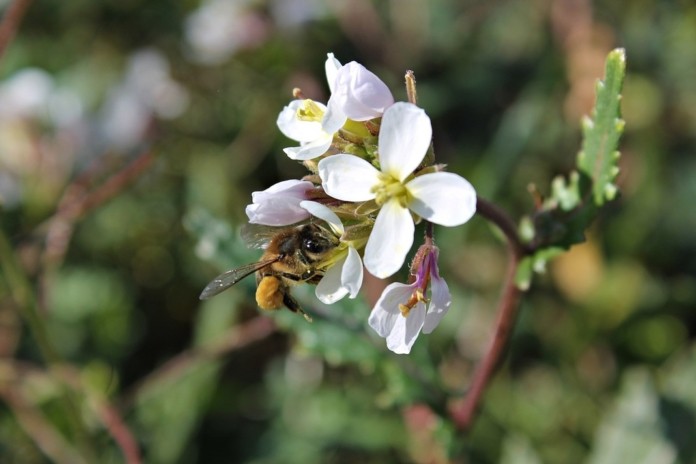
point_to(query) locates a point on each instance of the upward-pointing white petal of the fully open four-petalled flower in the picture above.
(404, 138)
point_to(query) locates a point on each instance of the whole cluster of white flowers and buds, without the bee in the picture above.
(371, 180)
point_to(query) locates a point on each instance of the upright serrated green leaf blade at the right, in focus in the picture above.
(602, 131)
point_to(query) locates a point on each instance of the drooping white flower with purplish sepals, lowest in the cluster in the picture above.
(400, 313)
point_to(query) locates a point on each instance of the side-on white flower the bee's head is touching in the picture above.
(344, 277)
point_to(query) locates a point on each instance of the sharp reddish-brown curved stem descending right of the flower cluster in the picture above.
(464, 414)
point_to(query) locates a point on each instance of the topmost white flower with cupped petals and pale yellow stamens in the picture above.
(356, 93)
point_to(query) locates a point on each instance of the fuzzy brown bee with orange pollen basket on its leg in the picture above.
(292, 256)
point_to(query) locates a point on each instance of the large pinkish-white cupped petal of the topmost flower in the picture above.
(361, 94)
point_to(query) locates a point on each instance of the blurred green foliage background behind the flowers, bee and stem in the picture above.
(132, 134)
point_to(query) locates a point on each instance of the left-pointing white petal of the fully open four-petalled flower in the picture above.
(348, 178)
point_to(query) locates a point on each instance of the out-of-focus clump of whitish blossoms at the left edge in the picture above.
(46, 128)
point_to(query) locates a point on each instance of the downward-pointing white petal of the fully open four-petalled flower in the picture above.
(390, 240)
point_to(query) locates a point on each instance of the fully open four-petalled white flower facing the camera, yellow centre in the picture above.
(440, 197)
